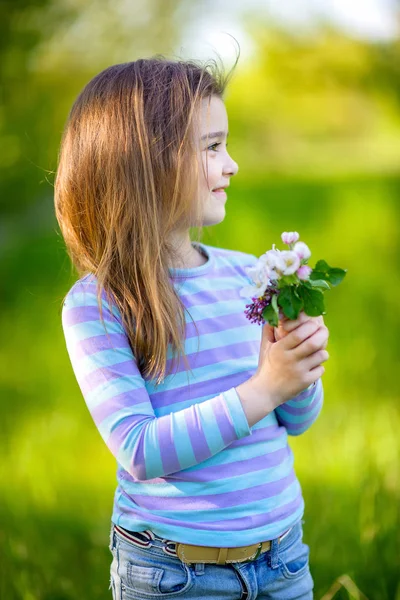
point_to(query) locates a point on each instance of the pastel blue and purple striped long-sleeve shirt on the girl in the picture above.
(189, 467)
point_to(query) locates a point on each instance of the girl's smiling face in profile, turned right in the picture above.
(216, 166)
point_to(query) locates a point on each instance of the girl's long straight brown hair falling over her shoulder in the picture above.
(127, 177)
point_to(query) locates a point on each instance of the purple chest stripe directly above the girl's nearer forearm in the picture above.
(209, 387)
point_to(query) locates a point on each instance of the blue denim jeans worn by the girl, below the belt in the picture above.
(281, 573)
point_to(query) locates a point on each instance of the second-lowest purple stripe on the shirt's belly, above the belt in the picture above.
(225, 500)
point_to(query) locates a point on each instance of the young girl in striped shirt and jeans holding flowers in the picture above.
(195, 402)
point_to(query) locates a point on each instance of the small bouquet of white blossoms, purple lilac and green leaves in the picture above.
(282, 279)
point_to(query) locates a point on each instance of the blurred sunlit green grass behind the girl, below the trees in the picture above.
(58, 478)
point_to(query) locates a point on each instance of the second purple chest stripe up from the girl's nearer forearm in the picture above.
(220, 354)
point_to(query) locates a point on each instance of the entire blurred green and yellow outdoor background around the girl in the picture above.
(314, 119)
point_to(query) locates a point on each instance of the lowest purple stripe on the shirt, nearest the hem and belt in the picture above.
(241, 524)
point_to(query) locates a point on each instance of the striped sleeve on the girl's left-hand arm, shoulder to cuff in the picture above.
(107, 373)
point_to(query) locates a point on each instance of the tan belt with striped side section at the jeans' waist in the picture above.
(189, 553)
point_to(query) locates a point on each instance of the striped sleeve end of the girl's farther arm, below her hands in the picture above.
(299, 413)
